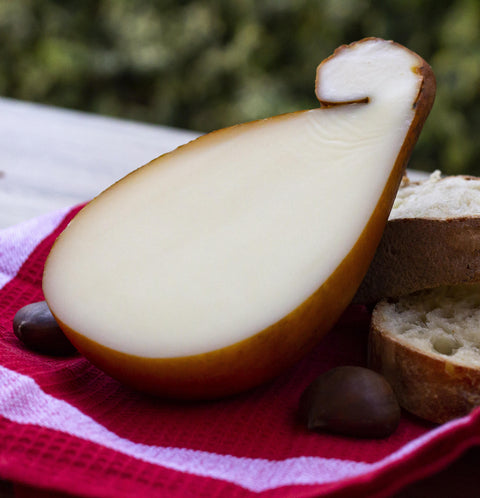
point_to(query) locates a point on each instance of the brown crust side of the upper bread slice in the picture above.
(420, 253)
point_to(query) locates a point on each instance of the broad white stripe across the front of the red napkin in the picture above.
(22, 401)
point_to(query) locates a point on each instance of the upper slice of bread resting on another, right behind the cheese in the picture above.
(432, 239)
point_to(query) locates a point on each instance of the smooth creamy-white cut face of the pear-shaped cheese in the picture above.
(210, 244)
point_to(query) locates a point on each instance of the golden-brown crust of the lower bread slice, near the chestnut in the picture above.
(429, 385)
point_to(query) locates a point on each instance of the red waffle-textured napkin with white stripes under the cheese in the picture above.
(67, 426)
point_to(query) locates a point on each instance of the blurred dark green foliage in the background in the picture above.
(204, 65)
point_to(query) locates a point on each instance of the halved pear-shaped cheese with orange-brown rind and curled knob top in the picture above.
(216, 266)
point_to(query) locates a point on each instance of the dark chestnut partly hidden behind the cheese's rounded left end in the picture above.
(37, 328)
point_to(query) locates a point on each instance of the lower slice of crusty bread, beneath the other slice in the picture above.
(427, 345)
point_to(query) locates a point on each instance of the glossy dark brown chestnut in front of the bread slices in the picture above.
(352, 401)
